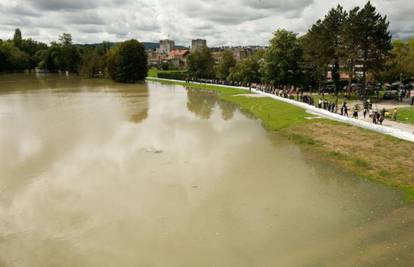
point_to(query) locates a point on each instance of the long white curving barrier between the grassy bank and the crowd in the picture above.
(395, 132)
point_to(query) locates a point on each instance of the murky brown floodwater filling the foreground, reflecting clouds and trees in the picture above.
(97, 174)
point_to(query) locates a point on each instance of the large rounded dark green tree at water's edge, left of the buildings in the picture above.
(127, 63)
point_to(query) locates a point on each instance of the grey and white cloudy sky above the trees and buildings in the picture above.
(226, 22)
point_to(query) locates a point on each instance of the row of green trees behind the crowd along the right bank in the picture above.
(351, 42)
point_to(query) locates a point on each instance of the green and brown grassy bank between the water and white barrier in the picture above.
(369, 154)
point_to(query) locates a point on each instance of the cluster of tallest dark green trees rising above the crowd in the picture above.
(343, 41)
